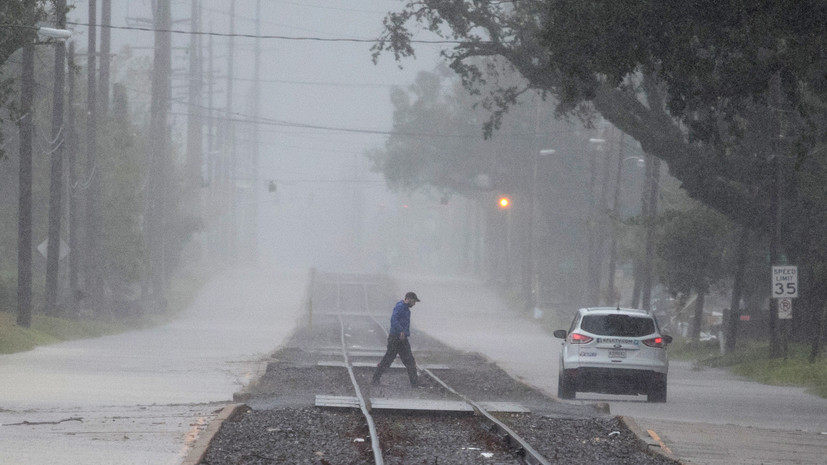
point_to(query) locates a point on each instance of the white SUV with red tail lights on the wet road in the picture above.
(613, 351)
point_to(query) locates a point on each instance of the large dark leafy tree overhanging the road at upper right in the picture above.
(690, 85)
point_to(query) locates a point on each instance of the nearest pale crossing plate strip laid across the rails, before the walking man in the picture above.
(418, 404)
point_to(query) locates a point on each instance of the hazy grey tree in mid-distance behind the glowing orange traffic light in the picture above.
(436, 143)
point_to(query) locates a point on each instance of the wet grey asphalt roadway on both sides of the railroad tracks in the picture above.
(142, 397)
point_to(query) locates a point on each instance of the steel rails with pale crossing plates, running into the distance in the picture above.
(353, 306)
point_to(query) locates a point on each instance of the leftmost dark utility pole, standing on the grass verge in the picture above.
(24, 219)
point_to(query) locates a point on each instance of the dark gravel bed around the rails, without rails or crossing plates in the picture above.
(281, 425)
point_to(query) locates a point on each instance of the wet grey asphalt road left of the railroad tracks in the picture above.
(142, 397)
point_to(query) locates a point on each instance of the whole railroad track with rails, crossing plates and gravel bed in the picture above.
(315, 403)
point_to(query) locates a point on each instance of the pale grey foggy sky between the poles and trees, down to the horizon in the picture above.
(323, 104)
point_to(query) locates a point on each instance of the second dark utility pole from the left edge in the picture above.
(56, 174)
